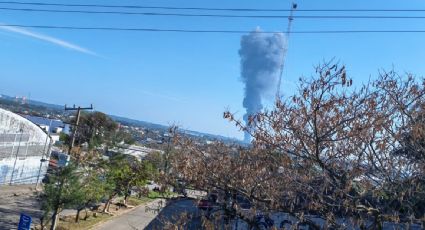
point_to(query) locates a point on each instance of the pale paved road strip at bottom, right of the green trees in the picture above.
(137, 218)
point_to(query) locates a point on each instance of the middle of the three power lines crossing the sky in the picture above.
(213, 15)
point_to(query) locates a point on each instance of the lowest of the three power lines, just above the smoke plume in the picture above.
(207, 31)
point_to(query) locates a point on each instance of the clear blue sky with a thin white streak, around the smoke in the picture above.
(188, 79)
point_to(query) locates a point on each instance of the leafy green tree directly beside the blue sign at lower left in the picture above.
(62, 191)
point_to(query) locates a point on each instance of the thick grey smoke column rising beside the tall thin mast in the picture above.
(261, 61)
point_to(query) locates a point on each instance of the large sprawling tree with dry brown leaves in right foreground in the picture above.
(343, 153)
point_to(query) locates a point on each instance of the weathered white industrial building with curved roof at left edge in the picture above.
(24, 150)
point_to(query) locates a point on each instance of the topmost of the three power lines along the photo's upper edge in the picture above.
(206, 8)
